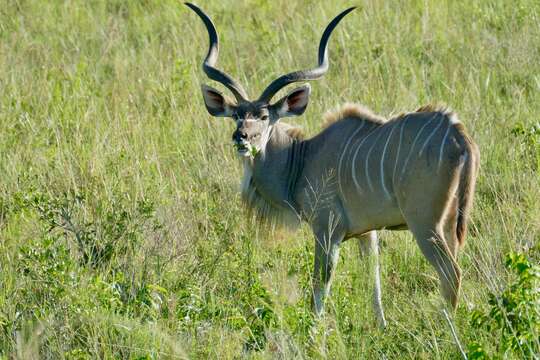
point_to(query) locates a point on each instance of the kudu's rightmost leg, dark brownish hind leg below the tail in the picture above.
(434, 247)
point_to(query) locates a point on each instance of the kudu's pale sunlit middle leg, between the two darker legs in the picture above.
(369, 249)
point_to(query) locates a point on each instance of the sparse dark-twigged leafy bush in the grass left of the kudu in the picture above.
(113, 229)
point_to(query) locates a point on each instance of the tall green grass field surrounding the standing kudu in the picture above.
(121, 229)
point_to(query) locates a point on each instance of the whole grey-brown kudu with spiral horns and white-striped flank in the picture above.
(360, 174)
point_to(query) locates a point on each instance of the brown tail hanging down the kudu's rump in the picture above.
(466, 185)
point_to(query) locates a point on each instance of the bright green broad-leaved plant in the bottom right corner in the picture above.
(513, 316)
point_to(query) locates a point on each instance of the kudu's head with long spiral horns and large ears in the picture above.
(255, 119)
